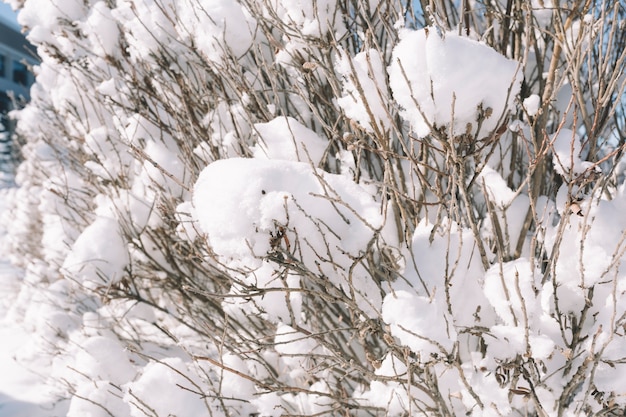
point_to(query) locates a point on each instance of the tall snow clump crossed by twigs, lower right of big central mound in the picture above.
(431, 301)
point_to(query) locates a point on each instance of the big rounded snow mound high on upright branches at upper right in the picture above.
(448, 81)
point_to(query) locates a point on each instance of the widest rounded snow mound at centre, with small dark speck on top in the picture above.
(240, 201)
